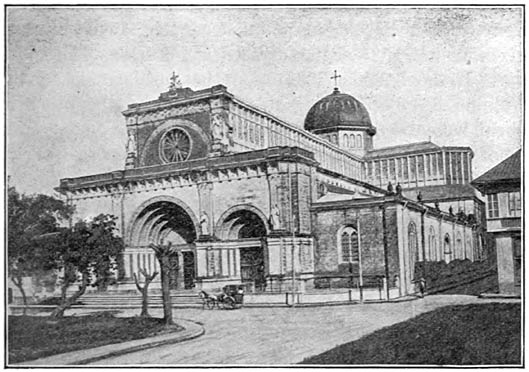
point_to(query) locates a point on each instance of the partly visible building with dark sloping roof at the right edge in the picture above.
(501, 186)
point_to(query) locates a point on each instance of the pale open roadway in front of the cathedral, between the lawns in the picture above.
(279, 336)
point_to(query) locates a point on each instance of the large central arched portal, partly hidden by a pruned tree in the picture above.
(161, 222)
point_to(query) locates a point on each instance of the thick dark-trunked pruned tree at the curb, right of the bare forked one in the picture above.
(168, 258)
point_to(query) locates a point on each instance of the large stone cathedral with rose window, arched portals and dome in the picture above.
(250, 199)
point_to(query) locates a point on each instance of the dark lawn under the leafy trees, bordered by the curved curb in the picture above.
(33, 337)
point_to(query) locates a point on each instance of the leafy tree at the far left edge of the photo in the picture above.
(30, 217)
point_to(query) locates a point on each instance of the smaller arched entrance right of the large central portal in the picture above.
(248, 229)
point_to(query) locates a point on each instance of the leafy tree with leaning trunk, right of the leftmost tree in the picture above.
(88, 250)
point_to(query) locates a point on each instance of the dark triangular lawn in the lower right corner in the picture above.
(459, 335)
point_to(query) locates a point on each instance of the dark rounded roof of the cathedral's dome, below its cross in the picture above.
(338, 110)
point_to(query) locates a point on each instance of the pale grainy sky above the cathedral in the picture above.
(450, 74)
